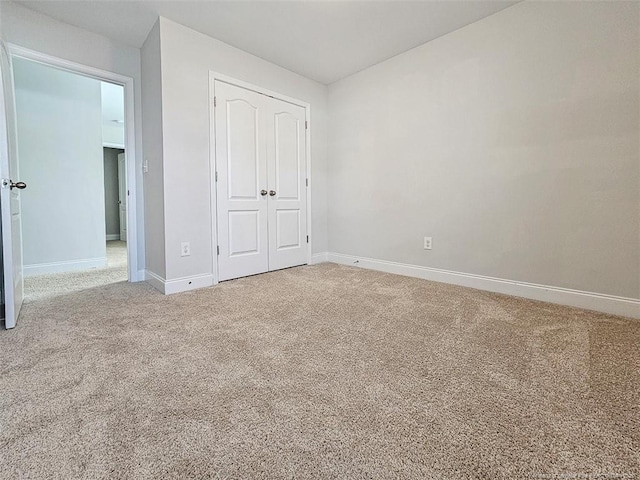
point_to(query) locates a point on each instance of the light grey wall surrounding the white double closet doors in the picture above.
(186, 59)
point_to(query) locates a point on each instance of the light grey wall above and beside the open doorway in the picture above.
(35, 31)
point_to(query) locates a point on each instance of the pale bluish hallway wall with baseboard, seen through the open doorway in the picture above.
(61, 160)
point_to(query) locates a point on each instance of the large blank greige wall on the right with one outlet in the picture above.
(513, 142)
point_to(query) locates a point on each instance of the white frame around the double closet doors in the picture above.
(213, 191)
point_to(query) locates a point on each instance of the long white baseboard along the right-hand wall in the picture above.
(627, 307)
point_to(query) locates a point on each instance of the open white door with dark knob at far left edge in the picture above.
(11, 219)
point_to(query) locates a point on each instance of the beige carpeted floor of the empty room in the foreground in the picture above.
(317, 372)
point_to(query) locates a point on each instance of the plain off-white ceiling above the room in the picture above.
(322, 40)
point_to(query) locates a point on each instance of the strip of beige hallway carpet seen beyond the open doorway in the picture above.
(41, 287)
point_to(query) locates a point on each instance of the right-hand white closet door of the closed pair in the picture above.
(286, 163)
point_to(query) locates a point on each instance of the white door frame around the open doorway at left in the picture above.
(129, 137)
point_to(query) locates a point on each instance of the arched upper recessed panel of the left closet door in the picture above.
(242, 149)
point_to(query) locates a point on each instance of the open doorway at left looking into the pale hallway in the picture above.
(70, 130)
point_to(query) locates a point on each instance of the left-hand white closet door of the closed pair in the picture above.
(241, 145)
